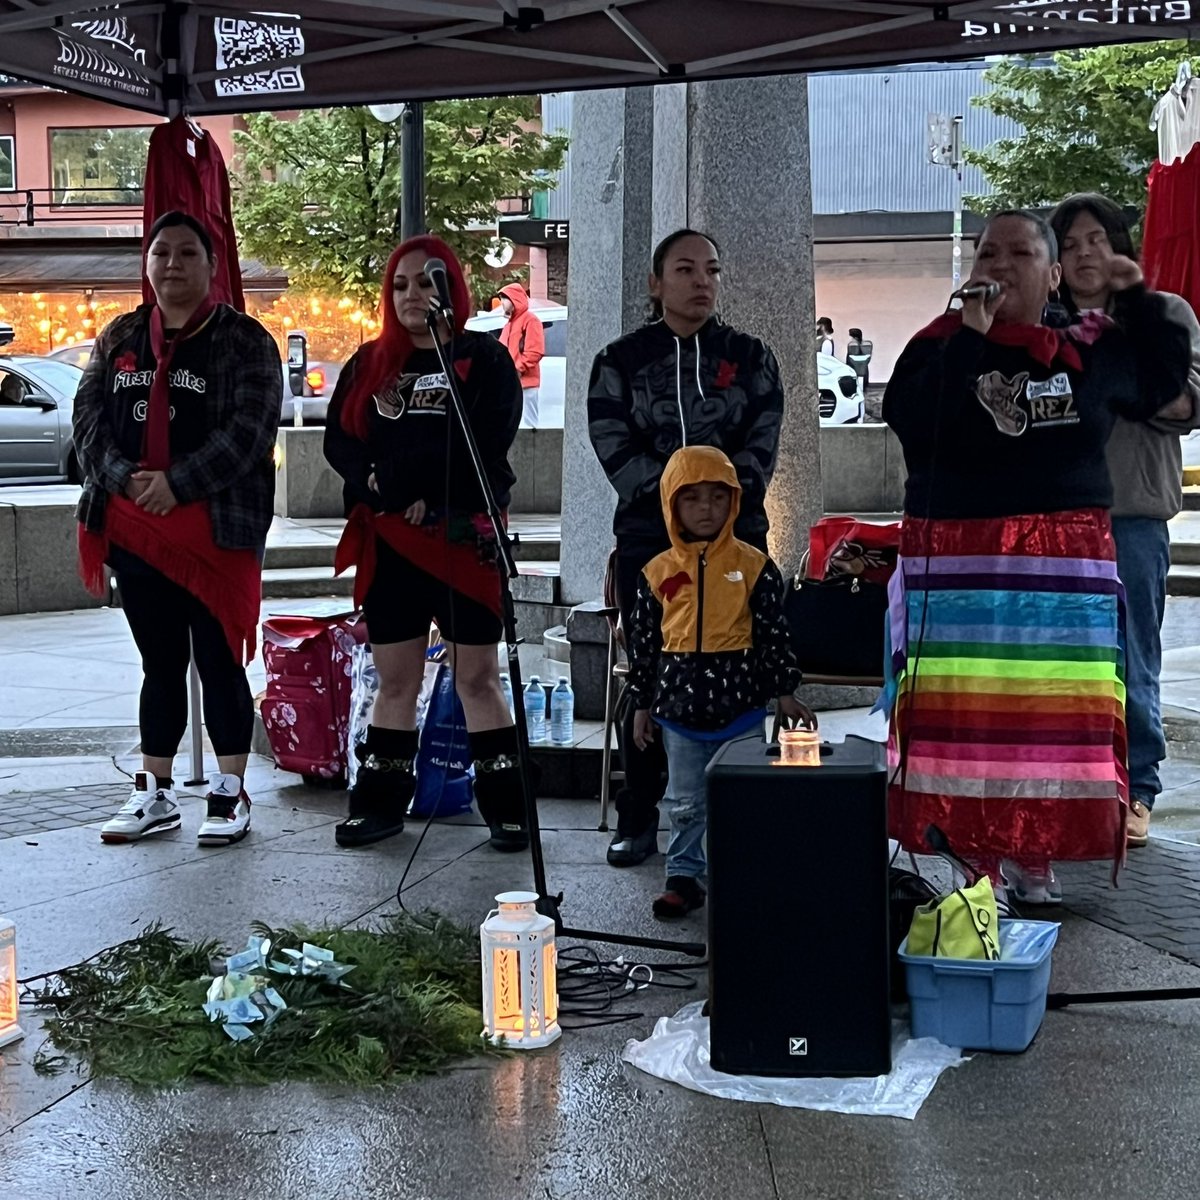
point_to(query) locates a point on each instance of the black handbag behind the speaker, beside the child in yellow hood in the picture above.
(837, 626)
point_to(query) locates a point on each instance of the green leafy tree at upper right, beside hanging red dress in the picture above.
(1087, 122)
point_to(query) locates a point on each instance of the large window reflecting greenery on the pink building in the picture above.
(99, 166)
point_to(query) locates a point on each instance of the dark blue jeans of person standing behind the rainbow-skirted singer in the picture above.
(1144, 556)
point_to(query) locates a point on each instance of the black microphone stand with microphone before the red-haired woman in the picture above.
(548, 904)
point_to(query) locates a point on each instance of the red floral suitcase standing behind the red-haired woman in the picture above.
(307, 707)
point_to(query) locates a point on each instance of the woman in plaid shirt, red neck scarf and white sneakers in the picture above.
(175, 425)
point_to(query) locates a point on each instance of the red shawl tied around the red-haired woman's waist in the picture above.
(455, 563)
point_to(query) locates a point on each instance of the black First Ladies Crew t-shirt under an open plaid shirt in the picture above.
(131, 369)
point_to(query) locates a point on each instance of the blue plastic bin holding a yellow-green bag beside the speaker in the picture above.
(977, 1005)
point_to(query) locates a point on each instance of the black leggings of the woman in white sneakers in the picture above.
(161, 615)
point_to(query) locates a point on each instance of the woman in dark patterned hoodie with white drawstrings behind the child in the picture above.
(683, 380)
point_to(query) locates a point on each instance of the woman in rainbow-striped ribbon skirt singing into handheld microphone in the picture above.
(1009, 715)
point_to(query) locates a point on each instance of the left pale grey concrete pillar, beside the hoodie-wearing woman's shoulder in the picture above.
(611, 189)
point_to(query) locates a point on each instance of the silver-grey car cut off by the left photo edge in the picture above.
(37, 405)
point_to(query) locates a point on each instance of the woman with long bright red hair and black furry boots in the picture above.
(421, 539)
